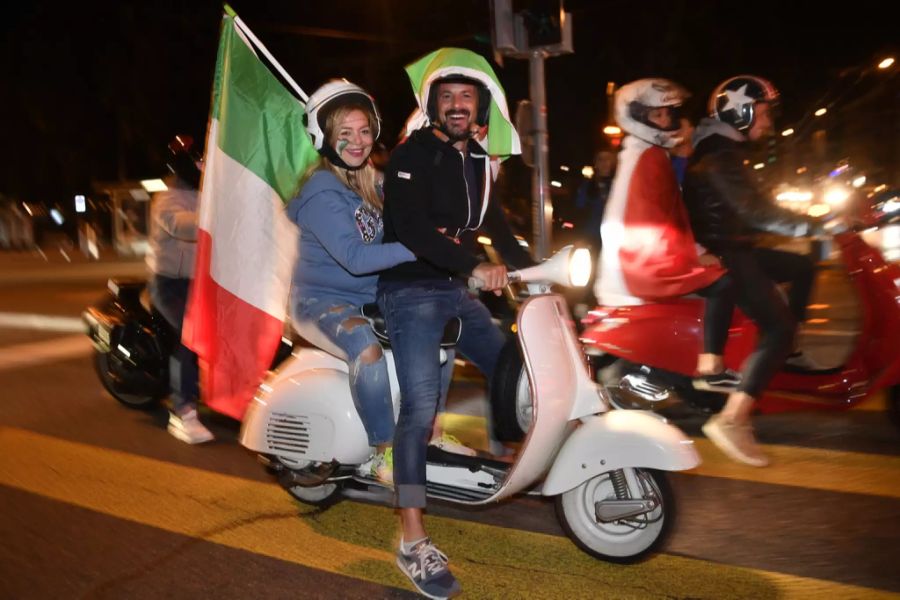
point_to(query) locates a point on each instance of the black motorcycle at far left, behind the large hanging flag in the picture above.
(133, 343)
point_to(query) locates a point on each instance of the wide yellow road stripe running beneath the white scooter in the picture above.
(356, 539)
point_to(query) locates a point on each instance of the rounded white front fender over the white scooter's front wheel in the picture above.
(615, 440)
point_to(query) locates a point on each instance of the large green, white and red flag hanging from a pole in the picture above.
(256, 151)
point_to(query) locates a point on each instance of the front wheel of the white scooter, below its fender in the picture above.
(626, 540)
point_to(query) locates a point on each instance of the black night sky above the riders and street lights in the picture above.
(93, 90)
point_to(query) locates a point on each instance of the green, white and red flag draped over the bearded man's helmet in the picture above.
(501, 140)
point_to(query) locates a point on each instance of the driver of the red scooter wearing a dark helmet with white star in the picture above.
(727, 211)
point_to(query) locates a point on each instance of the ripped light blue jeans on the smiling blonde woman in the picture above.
(346, 328)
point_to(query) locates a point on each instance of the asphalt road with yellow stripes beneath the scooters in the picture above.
(98, 501)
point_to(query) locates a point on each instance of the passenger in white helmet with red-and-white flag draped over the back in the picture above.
(649, 252)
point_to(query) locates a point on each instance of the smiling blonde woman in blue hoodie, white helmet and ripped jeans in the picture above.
(338, 212)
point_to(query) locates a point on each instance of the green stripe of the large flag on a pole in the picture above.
(260, 121)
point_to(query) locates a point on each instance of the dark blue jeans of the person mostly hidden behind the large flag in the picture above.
(169, 296)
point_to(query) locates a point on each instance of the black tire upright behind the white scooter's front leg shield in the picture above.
(511, 406)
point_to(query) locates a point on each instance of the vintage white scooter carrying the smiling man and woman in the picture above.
(603, 467)
